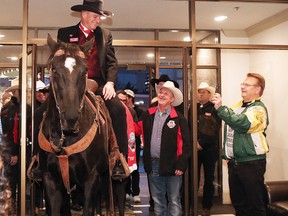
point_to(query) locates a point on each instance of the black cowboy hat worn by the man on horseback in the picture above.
(93, 6)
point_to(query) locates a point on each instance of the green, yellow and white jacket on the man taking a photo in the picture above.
(244, 131)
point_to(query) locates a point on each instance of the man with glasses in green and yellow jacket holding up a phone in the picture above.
(245, 146)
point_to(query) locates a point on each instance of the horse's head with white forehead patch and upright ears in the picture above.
(68, 74)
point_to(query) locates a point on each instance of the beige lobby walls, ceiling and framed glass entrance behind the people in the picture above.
(175, 37)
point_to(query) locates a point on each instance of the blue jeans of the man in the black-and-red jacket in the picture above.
(162, 186)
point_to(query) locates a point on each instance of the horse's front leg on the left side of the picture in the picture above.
(58, 200)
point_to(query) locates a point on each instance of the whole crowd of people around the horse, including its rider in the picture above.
(161, 131)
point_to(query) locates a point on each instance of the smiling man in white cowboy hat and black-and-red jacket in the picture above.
(166, 149)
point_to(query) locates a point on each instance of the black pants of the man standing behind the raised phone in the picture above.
(208, 159)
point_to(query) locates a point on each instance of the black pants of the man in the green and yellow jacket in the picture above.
(246, 183)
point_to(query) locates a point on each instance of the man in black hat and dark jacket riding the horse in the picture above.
(102, 67)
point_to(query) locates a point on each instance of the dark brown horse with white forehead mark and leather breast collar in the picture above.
(74, 133)
